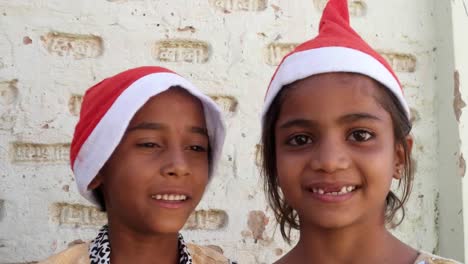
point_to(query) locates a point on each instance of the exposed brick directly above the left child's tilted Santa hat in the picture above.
(178, 50)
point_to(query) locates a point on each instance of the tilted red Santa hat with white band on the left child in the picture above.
(108, 108)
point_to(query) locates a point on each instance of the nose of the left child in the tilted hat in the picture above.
(175, 164)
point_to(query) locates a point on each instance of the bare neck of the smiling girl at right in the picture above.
(368, 242)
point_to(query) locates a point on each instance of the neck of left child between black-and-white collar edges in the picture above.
(131, 246)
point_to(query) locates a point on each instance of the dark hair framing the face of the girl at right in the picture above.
(285, 215)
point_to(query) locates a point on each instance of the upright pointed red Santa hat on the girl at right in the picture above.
(337, 48)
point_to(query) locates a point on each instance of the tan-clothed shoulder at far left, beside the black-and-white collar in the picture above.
(76, 254)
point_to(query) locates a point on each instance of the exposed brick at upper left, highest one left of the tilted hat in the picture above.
(73, 45)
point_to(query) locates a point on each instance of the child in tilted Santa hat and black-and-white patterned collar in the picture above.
(145, 146)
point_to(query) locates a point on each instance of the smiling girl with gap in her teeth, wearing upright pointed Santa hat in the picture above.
(336, 132)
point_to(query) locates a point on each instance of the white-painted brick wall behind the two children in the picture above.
(52, 51)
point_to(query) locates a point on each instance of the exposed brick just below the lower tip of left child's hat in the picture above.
(77, 215)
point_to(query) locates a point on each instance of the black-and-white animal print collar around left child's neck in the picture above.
(99, 249)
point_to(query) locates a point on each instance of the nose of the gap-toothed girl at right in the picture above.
(330, 156)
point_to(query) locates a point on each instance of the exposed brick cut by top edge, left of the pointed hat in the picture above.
(228, 6)
